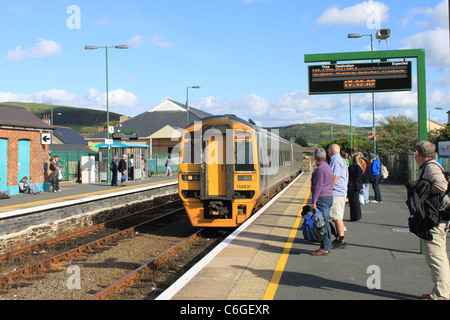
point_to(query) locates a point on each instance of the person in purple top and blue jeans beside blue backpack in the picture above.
(322, 195)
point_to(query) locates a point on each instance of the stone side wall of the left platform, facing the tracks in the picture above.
(30, 229)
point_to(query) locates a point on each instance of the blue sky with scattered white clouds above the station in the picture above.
(247, 55)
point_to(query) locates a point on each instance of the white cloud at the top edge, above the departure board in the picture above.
(370, 13)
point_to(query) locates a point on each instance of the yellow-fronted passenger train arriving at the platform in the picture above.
(229, 167)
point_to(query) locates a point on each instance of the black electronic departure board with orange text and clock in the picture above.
(364, 77)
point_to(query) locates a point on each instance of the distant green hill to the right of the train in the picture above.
(317, 133)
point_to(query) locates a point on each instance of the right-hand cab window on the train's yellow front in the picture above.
(244, 160)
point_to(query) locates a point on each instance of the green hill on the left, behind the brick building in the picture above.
(80, 119)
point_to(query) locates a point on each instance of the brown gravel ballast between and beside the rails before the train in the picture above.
(99, 270)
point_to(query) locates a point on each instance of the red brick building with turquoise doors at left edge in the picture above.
(21, 150)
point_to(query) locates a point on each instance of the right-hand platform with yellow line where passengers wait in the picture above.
(268, 259)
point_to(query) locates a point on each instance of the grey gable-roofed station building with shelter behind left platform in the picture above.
(153, 135)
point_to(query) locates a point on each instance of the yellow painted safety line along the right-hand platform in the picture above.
(279, 269)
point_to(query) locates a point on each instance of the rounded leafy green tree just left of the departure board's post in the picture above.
(397, 134)
